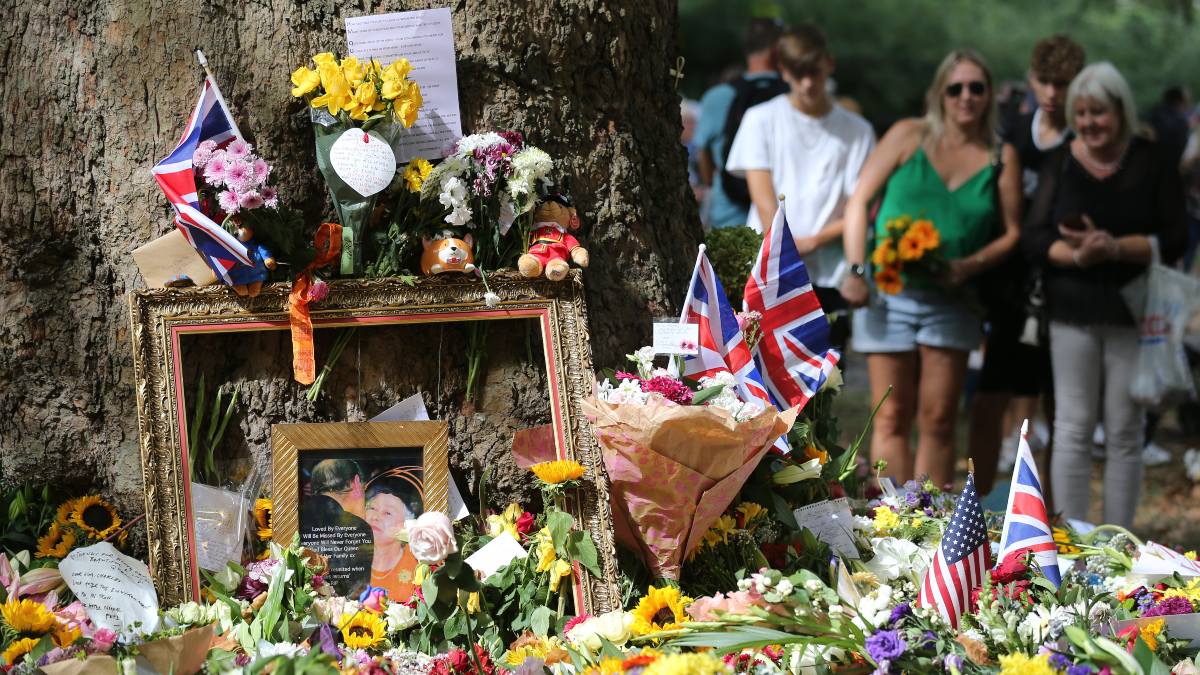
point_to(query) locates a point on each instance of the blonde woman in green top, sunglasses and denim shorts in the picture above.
(940, 168)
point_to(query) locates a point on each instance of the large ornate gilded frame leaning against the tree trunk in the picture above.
(195, 350)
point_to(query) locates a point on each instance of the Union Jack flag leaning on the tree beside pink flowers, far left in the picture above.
(211, 121)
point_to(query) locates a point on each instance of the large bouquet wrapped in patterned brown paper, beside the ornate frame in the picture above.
(677, 456)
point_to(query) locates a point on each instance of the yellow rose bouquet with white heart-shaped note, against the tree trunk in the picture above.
(358, 110)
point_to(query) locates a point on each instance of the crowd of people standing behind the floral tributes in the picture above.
(1047, 202)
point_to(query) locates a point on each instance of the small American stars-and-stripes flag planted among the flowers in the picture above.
(961, 561)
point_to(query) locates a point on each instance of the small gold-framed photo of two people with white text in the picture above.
(350, 488)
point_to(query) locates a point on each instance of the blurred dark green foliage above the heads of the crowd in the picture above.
(887, 51)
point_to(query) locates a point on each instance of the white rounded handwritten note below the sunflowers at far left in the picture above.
(116, 589)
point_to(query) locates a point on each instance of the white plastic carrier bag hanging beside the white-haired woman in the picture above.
(1163, 301)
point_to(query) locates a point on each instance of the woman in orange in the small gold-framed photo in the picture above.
(392, 501)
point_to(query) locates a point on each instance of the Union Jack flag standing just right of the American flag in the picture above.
(1027, 527)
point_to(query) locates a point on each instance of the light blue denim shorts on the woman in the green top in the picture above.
(916, 316)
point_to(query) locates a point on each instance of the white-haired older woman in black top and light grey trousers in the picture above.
(1106, 202)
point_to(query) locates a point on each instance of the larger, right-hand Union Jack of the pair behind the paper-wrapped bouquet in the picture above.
(794, 355)
